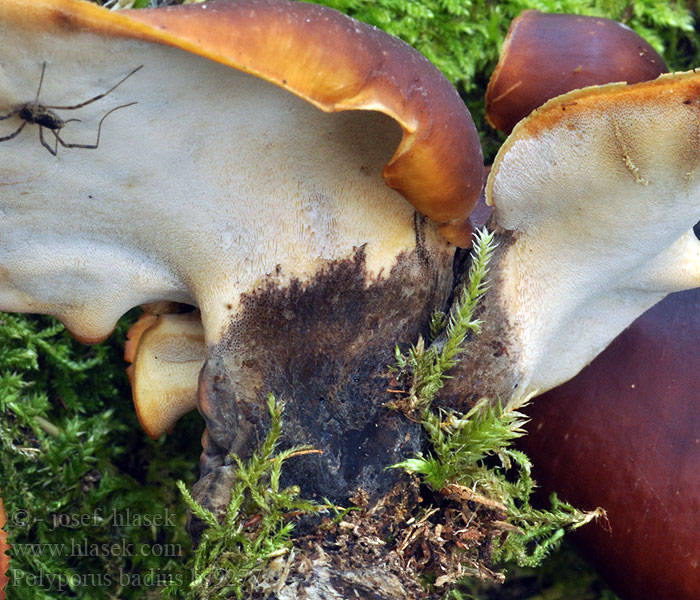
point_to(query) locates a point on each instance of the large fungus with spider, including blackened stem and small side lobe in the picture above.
(229, 190)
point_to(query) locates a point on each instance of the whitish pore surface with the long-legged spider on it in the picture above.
(214, 180)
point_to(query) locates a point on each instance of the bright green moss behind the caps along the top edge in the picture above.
(463, 37)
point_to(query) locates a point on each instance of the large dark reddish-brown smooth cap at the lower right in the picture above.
(625, 434)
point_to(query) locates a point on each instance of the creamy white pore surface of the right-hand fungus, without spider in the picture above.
(602, 206)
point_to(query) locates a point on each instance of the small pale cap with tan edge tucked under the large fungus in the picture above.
(167, 353)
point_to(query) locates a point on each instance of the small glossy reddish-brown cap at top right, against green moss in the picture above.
(545, 55)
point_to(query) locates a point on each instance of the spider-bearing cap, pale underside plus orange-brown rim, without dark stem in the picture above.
(226, 135)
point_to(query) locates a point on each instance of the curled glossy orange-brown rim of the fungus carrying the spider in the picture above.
(332, 61)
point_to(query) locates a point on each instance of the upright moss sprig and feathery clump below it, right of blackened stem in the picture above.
(471, 461)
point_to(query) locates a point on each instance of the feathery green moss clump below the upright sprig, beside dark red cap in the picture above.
(461, 466)
